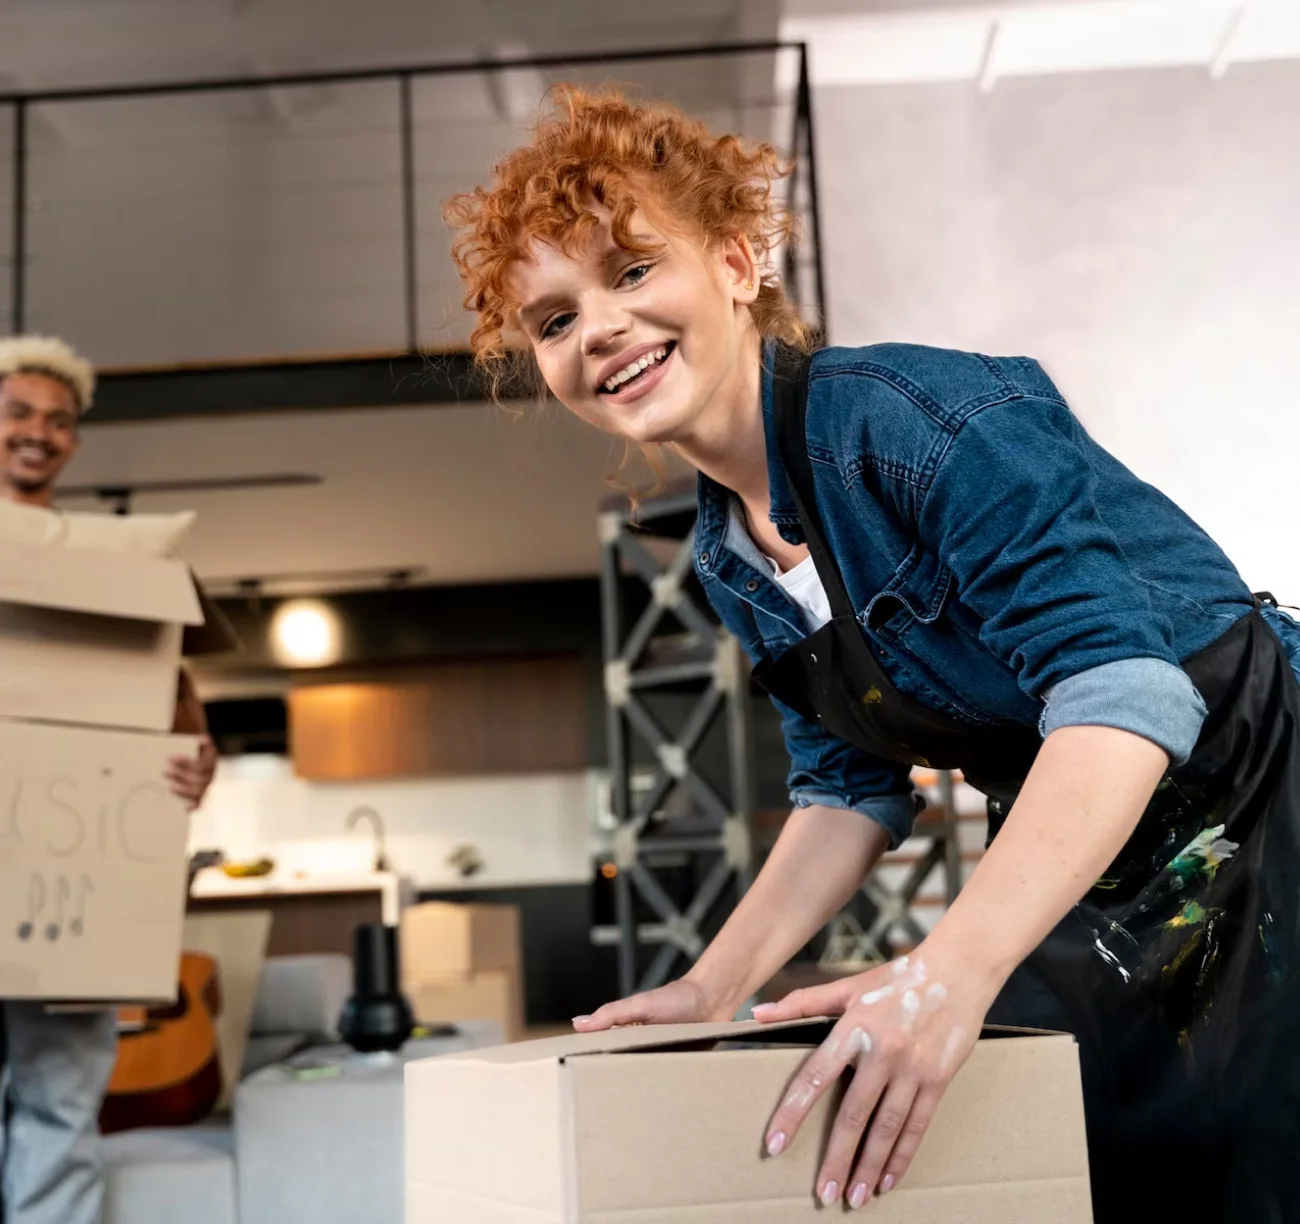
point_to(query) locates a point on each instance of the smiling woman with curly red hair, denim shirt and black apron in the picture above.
(931, 562)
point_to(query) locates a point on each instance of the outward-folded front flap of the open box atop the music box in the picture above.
(109, 584)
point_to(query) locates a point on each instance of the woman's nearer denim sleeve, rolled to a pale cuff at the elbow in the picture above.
(1012, 513)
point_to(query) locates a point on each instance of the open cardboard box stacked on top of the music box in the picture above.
(92, 637)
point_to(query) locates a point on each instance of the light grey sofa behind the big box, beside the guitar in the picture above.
(293, 1149)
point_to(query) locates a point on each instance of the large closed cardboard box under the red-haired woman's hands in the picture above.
(645, 1126)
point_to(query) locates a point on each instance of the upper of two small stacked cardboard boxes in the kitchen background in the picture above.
(441, 940)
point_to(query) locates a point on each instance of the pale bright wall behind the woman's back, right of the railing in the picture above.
(1137, 232)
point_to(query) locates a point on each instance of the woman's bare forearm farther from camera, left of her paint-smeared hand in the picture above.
(817, 865)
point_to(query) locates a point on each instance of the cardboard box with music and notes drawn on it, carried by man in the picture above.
(93, 865)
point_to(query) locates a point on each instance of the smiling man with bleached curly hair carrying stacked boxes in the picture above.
(58, 1065)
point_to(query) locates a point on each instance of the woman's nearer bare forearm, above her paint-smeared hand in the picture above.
(1080, 805)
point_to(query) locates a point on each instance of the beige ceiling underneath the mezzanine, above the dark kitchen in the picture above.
(469, 493)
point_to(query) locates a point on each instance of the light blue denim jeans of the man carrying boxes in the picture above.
(57, 1070)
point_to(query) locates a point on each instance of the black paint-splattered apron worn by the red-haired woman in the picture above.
(1178, 973)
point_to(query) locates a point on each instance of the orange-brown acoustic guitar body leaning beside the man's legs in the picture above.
(168, 1074)
